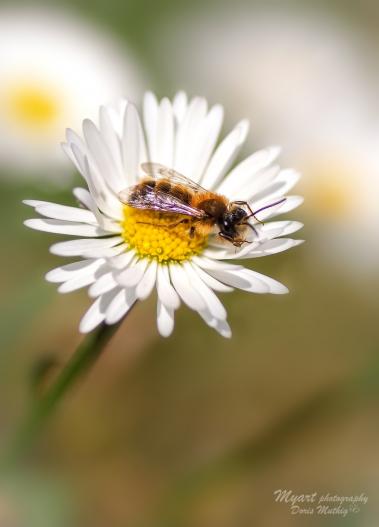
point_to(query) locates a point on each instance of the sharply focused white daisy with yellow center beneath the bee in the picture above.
(124, 252)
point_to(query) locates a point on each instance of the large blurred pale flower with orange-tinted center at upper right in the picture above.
(309, 83)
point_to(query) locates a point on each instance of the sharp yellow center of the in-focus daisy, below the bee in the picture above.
(159, 235)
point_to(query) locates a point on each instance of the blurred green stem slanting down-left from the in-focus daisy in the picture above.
(80, 362)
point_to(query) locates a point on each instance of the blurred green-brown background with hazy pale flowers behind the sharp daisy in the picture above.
(197, 431)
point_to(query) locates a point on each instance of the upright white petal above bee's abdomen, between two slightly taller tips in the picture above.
(165, 134)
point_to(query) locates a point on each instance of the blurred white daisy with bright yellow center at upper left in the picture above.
(54, 69)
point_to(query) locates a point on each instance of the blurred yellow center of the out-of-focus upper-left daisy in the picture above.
(32, 106)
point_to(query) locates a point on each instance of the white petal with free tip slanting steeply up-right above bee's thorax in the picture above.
(224, 155)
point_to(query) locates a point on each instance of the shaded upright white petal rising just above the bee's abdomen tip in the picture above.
(133, 145)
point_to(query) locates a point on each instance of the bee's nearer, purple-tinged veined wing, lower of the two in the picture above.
(150, 198)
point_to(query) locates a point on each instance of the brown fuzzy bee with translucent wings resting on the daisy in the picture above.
(165, 190)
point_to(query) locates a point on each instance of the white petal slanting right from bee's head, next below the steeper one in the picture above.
(245, 171)
